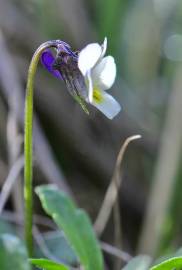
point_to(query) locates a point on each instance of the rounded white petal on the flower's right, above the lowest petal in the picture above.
(104, 73)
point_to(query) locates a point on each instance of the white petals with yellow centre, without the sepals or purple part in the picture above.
(99, 73)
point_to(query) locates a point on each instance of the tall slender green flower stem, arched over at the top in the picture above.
(28, 214)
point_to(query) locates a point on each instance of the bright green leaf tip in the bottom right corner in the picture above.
(170, 264)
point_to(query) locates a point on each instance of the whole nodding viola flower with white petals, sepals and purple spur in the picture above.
(87, 74)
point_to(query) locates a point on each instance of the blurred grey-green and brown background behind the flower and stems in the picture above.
(79, 152)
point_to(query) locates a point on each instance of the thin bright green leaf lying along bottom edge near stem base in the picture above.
(48, 265)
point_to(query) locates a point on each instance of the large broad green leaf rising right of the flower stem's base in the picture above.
(75, 224)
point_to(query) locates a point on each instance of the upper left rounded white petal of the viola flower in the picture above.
(88, 57)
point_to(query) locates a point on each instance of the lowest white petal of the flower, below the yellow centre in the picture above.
(109, 106)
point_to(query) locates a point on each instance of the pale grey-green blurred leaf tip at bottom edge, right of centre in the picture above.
(138, 263)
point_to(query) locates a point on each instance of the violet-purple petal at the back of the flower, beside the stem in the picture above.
(47, 60)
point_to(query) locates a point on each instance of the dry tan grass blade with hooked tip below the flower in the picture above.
(112, 191)
